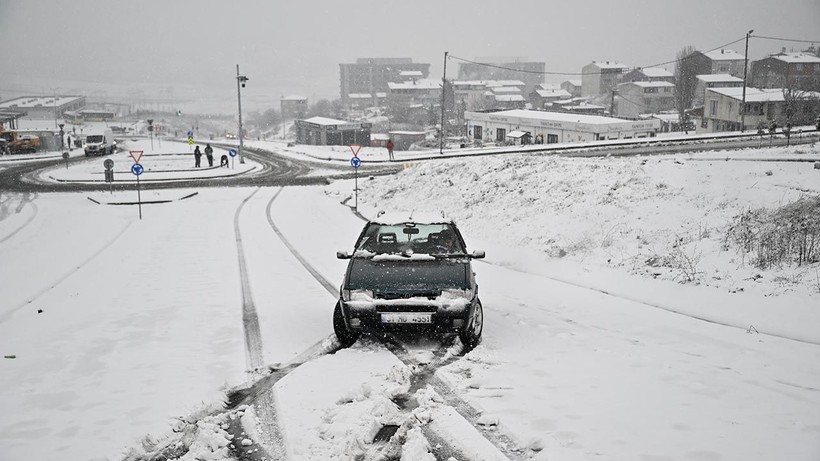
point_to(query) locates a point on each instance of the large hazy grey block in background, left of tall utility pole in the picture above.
(369, 76)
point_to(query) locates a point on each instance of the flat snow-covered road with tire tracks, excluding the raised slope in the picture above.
(141, 322)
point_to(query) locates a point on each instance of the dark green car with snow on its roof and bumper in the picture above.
(409, 272)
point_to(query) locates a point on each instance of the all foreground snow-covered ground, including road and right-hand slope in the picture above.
(120, 327)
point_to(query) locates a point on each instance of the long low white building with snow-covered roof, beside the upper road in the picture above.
(554, 127)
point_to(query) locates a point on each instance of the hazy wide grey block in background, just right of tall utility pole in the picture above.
(531, 73)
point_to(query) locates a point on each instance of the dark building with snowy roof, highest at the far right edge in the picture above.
(799, 71)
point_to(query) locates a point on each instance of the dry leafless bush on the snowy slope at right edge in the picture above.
(789, 234)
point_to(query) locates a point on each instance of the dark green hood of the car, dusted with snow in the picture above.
(408, 276)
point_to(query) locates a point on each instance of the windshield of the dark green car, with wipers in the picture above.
(411, 238)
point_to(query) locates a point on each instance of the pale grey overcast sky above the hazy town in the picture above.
(295, 47)
